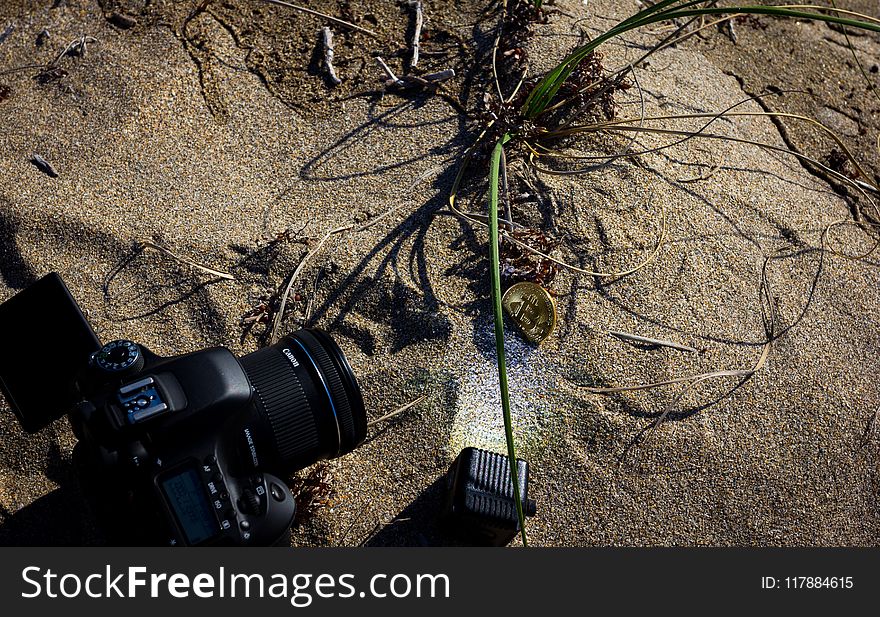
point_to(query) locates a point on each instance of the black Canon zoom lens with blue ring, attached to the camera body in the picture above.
(307, 402)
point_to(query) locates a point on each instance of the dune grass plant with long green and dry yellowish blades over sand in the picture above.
(529, 126)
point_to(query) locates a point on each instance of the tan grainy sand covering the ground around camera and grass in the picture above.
(213, 148)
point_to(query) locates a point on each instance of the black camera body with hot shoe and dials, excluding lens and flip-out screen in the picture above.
(175, 436)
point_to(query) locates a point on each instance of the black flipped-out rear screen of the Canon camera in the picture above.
(45, 343)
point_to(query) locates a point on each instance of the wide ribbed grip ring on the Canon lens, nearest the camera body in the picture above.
(281, 399)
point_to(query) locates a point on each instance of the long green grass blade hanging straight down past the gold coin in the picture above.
(495, 271)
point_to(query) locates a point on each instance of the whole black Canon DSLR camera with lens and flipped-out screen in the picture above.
(187, 450)
